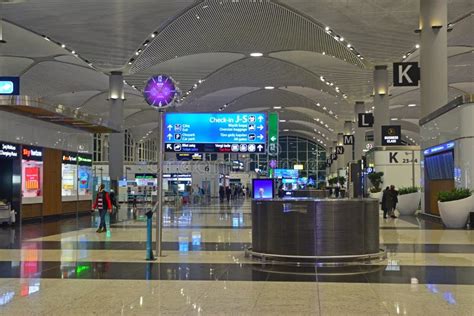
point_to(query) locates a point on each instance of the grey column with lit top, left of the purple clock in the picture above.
(116, 140)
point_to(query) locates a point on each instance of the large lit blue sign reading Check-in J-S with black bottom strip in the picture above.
(215, 132)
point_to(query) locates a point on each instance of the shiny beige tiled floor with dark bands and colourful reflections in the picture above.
(63, 267)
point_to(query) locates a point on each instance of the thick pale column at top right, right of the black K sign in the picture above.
(433, 55)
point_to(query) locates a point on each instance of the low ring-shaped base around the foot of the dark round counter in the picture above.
(319, 261)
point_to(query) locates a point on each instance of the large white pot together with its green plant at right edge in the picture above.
(454, 207)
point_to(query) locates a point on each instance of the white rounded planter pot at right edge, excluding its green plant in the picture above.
(454, 214)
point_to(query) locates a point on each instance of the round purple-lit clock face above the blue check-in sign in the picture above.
(160, 91)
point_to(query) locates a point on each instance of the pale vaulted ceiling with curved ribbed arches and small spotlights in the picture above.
(205, 46)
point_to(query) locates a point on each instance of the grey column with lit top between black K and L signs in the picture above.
(381, 104)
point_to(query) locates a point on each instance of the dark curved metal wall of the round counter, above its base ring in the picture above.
(315, 228)
